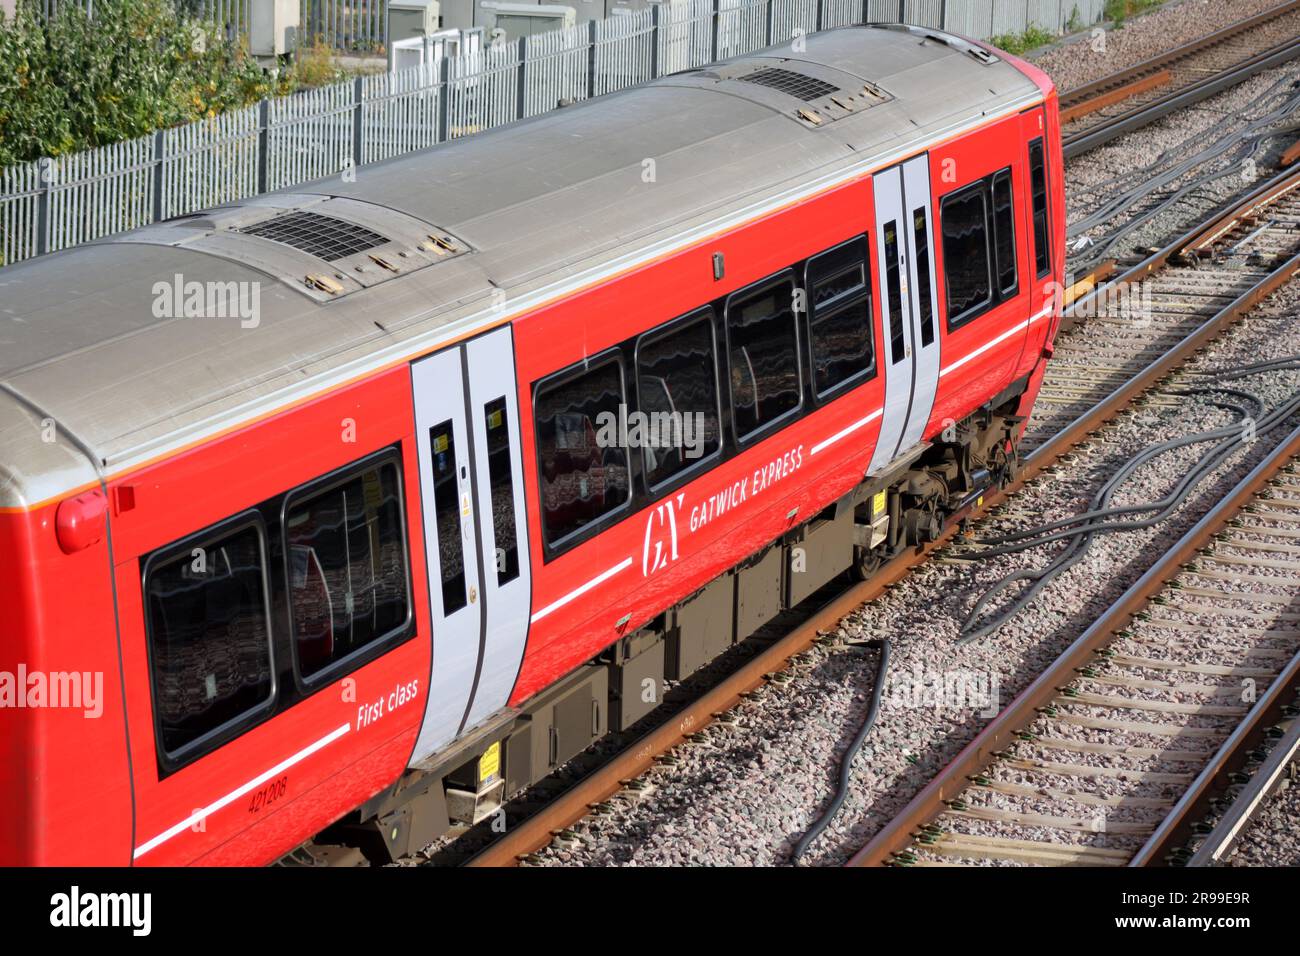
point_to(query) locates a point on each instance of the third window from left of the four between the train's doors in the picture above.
(764, 356)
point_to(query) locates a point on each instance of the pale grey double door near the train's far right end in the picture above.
(911, 360)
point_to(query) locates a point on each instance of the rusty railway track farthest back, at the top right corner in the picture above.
(1097, 114)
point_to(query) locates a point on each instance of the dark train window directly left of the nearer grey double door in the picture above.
(346, 561)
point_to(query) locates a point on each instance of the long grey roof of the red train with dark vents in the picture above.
(354, 272)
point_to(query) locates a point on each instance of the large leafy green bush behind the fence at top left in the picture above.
(73, 84)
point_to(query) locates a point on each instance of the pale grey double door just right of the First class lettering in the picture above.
(471, 483)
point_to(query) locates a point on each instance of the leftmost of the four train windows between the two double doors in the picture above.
(584, 471)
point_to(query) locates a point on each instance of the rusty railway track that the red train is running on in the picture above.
(1111, 387)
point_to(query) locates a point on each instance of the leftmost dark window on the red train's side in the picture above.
(210, 635)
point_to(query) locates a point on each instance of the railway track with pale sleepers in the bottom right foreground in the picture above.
(1106, 759)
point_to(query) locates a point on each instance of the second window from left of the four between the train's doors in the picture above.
(678, 392)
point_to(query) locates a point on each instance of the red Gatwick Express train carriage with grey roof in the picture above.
(330, 511)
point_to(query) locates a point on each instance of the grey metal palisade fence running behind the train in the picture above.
(50, 205)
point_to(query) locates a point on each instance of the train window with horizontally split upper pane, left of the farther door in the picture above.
(842, 341)
